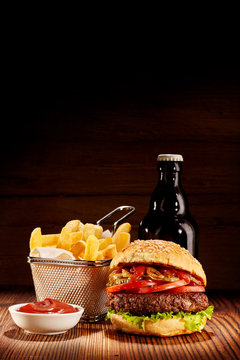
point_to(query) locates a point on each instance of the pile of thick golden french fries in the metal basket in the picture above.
(84, 241)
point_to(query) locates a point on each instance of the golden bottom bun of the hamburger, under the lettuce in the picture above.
(162, 327)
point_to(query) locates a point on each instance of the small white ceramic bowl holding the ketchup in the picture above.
(45, 324)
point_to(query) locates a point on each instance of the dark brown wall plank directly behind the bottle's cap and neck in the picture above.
(54, 168)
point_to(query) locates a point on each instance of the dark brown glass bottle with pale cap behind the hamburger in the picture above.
(168, 217)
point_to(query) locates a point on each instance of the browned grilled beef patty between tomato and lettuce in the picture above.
(139, 304)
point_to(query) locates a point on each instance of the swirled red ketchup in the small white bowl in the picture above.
(47, 306)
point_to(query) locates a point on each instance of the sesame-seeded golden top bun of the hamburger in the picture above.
(159, 252)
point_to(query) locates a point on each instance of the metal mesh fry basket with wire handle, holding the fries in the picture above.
(77, 282)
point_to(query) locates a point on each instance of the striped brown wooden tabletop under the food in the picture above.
(219, 340)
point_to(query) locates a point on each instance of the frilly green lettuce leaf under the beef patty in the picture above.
(193, 321)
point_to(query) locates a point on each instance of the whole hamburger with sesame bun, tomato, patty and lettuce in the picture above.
(156, 287)
